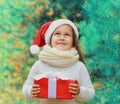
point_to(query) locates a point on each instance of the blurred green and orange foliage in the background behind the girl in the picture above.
(99, 25)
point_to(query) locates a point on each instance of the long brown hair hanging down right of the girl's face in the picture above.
(78, 48)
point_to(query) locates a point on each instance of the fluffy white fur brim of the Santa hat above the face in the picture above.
(57, 23)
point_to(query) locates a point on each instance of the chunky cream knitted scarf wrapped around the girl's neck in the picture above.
(58, 58)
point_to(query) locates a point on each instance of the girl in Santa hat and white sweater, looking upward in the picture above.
(62, 57)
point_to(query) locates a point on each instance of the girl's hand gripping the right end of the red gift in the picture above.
(74, 89)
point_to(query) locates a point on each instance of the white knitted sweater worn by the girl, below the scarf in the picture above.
(77, 71)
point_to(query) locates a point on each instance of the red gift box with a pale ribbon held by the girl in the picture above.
(54, 87)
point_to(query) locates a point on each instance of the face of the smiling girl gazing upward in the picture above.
(62, 38)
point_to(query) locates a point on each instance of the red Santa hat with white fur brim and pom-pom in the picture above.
(46, 31)
